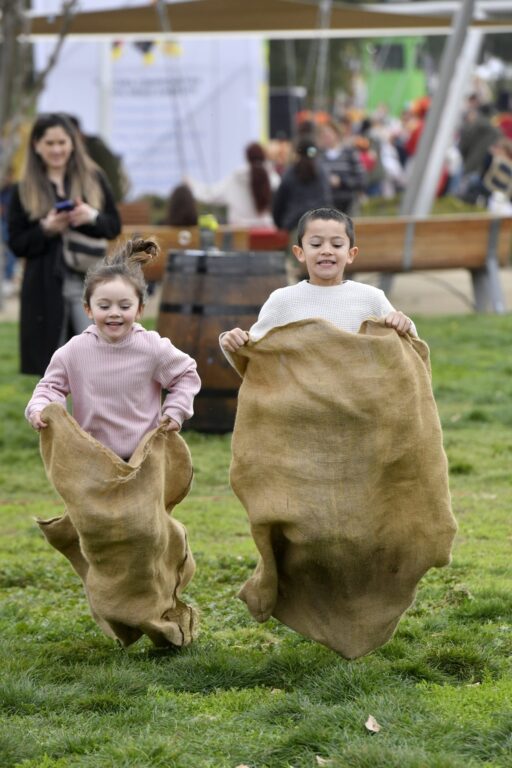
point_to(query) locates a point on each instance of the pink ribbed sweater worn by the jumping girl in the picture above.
(116, 389)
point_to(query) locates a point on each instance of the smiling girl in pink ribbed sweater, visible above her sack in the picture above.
(115, 370)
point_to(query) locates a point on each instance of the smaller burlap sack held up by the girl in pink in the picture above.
(131, 555)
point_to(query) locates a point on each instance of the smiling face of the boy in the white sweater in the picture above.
(325, 251)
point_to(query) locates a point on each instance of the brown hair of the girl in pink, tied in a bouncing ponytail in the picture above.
(125, 262)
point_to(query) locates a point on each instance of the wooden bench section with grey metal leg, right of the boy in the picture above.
(479, 243)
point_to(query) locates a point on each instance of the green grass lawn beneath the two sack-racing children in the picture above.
(261, 695)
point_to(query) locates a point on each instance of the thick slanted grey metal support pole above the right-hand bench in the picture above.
(420, 191)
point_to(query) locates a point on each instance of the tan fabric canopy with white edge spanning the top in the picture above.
(270, 18)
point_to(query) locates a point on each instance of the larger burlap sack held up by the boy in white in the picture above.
(338, 460)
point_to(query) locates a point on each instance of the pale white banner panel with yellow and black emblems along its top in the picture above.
(189, 110)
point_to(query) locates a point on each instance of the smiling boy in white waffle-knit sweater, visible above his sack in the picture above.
(325, 245)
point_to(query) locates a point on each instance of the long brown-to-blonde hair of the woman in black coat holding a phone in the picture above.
(82, 174)
